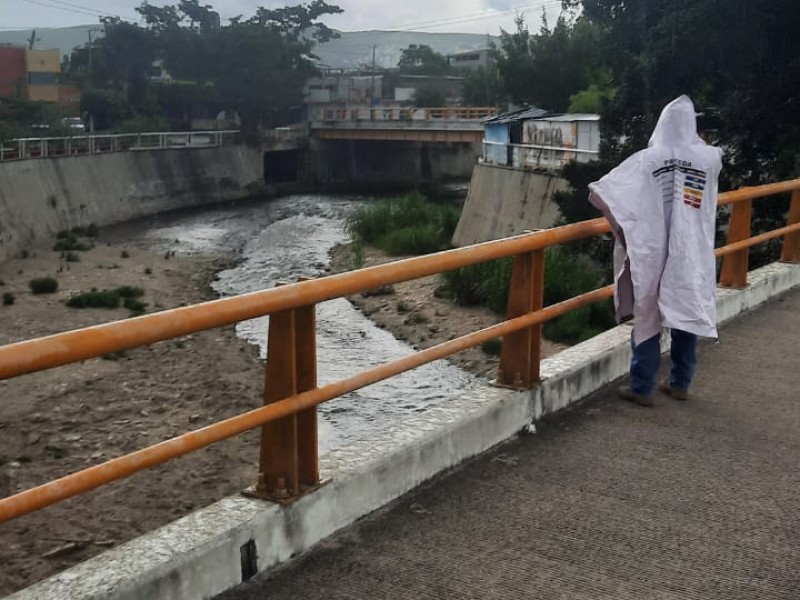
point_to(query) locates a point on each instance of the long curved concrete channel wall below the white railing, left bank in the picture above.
(41, 197)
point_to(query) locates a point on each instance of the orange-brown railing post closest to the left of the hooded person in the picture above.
(522, 350)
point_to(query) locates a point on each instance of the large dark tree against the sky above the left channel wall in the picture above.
(256, 67)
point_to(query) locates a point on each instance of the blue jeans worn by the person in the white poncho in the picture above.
(646, 360)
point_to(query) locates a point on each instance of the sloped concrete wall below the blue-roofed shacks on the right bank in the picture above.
(503, 202)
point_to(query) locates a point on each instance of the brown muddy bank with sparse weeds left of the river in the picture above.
(57, 422)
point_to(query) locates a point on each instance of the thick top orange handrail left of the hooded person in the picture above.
(74, 346)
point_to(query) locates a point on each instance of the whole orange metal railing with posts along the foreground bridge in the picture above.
(288, 459)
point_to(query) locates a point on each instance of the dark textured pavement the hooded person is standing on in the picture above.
(607, 501)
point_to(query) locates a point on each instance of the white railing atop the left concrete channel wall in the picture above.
(81, 145)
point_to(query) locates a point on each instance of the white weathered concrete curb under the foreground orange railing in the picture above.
(211, 550)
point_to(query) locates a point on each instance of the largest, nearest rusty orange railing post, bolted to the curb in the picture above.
(289, 465)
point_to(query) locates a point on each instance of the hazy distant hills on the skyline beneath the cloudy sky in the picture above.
(351, 51)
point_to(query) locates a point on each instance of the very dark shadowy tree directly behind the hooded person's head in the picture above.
(739, 61)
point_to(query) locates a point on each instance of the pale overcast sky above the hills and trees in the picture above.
(468, 16)
